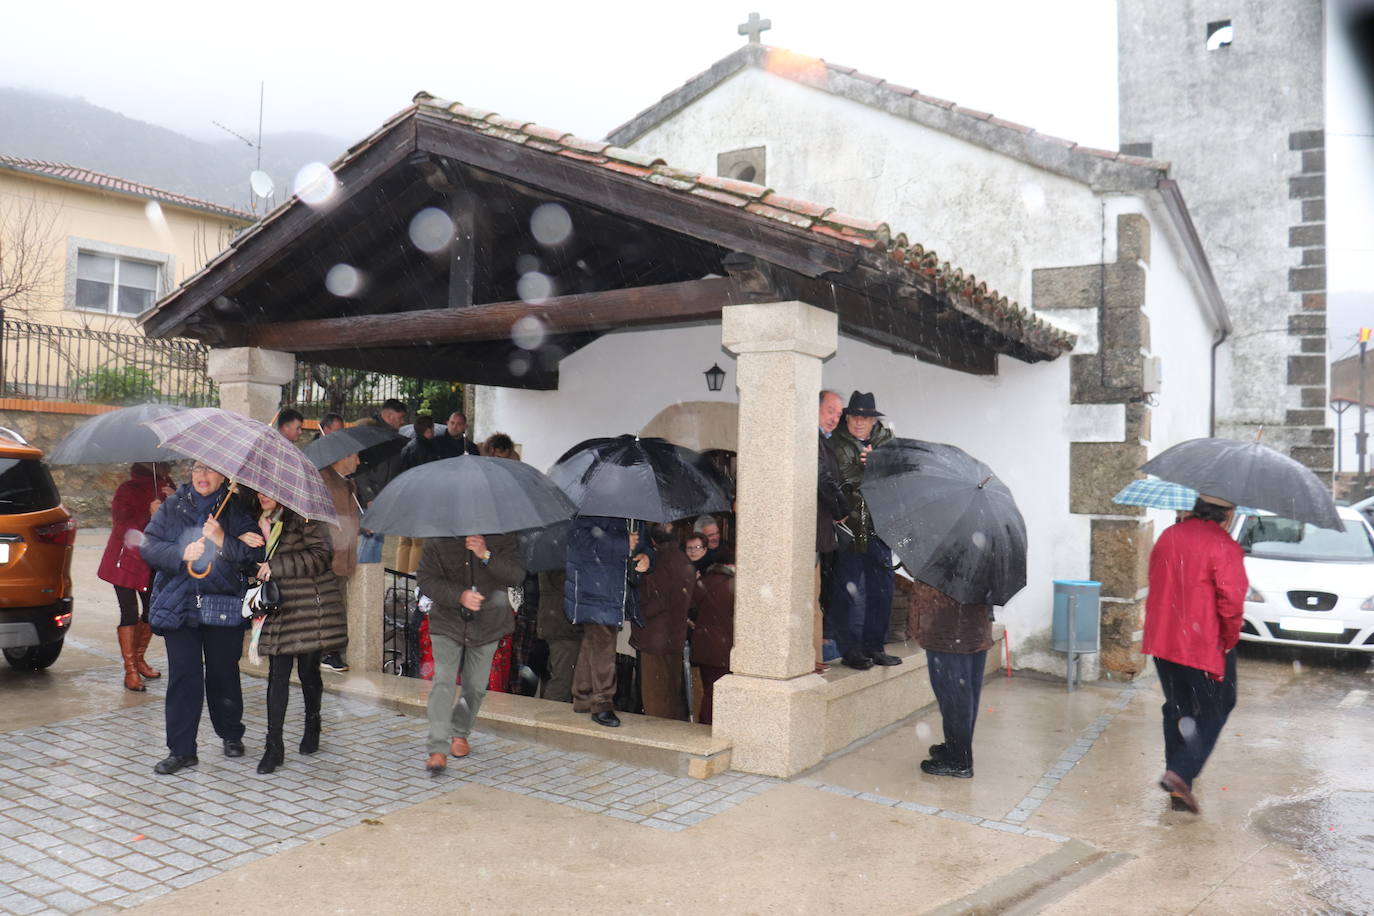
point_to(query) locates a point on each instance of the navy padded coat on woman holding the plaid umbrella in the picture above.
(177, 524)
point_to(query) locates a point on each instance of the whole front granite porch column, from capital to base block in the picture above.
(770, 708)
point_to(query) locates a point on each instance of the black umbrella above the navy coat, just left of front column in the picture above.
(640, 479)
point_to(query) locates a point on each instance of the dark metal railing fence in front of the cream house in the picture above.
(53, 363)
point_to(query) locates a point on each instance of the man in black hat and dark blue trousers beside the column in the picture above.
(861, 595)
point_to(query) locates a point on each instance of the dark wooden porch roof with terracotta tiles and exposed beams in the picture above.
(649, 245)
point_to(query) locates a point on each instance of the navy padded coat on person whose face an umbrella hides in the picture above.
(598, 560)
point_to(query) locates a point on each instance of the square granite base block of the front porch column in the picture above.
(776, 727)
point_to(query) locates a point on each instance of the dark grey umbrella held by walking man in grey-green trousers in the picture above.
(460, 496)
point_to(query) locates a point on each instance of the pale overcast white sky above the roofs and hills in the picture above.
(341, 69)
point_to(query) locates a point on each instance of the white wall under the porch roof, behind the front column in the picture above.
(1017, 422)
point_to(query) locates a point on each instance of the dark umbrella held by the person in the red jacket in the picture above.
(1248, 474)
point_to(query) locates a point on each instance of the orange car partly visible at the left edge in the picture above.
(36, 539)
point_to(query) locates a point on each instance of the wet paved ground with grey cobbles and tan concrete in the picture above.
(1064, 815)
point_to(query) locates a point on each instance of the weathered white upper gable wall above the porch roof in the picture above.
(986, 214)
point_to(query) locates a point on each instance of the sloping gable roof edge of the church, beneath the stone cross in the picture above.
(1101, 170)
